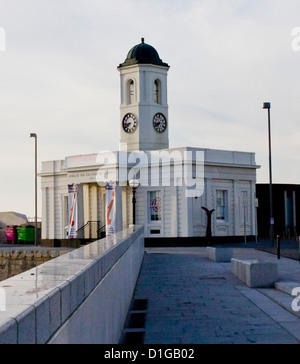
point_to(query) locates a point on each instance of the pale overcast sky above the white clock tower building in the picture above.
(59, 79)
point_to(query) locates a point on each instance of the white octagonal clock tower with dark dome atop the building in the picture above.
(144, 100)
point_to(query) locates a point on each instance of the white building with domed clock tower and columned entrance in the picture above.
(166, 205)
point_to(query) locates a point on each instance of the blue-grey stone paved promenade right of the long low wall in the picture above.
(195, 301)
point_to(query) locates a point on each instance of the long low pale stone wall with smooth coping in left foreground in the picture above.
(82, 297)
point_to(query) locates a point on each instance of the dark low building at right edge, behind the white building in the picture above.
(286, 206)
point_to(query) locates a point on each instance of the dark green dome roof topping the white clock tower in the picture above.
(143, 54)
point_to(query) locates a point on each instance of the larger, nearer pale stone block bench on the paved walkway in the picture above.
(255, 273)
